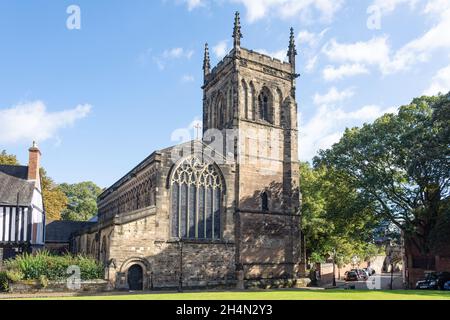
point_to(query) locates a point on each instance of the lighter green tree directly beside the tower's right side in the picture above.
(334, 219)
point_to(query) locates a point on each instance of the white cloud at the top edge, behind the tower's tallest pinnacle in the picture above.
(259, 9)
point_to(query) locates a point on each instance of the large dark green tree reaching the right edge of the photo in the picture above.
(400, 165)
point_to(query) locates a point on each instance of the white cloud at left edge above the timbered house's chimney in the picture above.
(31, 121)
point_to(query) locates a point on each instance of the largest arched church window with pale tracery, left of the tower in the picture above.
(196, 200)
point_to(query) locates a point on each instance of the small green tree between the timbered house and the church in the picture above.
(82, 198)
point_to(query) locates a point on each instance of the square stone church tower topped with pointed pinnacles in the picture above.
(249, 104)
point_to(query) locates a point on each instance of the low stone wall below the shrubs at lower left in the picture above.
(59, 286)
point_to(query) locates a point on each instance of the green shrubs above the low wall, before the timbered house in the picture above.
(54, 267)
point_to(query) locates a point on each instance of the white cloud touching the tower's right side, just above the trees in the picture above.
(327, 126)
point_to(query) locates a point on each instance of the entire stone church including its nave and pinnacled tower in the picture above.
(220, 211)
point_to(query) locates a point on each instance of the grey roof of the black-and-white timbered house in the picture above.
(14, 186)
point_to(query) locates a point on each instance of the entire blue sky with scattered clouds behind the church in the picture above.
(101, 98)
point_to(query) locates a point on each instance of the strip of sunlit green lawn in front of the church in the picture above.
(277, 295)
